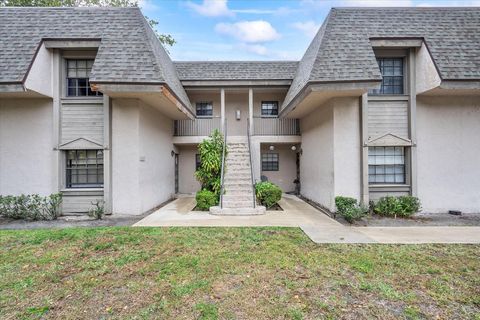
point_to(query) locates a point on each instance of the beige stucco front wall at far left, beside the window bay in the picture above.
(26, 147)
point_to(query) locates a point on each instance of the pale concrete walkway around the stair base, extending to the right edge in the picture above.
(319, 227)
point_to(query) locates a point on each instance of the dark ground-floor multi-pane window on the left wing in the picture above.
(84, 169)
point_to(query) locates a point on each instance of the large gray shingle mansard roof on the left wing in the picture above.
(129, 51)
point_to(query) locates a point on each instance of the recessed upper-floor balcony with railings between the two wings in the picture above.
(234, 108)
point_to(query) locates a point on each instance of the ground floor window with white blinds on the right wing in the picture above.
(386, 165)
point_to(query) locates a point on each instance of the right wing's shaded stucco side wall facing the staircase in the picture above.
(316, 161)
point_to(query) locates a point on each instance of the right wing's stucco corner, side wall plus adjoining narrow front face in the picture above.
(330, 162)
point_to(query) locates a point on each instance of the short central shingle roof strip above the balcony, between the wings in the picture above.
(236, 70)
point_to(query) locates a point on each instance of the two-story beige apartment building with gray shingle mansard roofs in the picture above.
(384, 101)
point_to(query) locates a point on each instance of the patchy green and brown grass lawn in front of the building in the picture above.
(229, 273)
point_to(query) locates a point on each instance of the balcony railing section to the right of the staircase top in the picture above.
(275, 127)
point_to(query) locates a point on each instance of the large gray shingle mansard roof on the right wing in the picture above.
(341, 50)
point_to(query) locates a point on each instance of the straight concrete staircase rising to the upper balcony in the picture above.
(238, 197)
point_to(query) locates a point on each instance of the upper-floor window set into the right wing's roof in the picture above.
(392, 70)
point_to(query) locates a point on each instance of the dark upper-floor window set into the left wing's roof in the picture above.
(78, 74)
